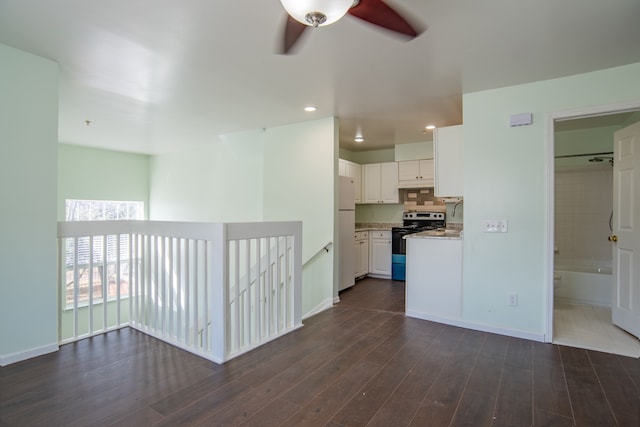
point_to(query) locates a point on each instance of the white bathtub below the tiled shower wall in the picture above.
(583, 284)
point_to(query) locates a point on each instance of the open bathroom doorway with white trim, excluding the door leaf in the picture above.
(580, 200)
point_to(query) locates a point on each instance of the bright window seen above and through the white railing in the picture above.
(97, 257)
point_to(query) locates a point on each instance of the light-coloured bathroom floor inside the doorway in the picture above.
(590, 327)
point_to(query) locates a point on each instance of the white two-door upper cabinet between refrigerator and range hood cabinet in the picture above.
(380, 183)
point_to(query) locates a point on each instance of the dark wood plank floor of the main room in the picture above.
(360, 363)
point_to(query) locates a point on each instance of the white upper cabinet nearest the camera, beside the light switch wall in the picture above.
(449, 173)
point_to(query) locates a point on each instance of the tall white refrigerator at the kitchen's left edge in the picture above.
(346, 232)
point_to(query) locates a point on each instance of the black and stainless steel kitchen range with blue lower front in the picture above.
(412, 222)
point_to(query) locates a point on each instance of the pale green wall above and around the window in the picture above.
(96, 174)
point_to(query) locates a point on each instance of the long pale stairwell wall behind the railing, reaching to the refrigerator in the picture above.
(279, 174)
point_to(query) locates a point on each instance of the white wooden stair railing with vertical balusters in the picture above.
(215, 289)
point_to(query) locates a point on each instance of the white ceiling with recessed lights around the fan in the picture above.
(157, 75)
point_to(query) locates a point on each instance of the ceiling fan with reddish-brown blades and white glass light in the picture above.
(316, 13)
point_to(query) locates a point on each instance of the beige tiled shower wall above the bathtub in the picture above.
(583, 203)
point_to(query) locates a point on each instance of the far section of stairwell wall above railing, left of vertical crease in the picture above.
(217, 182)
